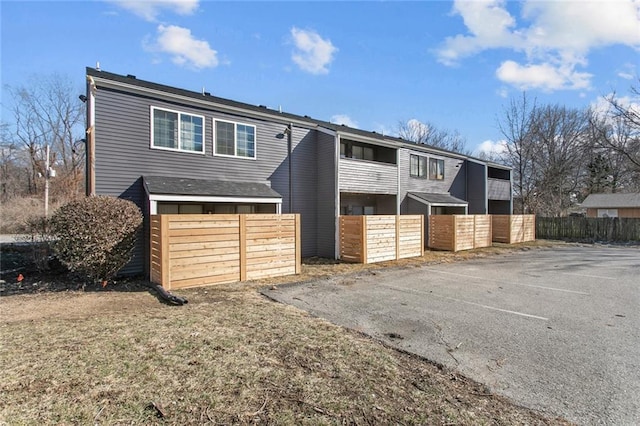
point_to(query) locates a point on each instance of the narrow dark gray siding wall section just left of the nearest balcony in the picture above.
(326, 195)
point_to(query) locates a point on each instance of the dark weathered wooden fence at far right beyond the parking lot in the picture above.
(588, 228)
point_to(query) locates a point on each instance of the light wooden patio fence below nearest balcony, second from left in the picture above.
(369, 239)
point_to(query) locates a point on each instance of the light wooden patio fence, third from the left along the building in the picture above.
(459, 232)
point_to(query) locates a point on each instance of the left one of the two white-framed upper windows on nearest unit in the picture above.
(177, 130)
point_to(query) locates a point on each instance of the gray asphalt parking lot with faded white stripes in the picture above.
(556, 330)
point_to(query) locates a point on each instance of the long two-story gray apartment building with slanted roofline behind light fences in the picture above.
(176, 151)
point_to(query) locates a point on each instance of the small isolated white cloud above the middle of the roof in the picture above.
(313, 53)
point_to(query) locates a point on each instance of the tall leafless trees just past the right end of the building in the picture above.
(548, 147)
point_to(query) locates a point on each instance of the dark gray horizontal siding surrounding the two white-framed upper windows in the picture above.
(123, 154)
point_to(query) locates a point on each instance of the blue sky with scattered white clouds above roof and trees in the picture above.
(366, 64)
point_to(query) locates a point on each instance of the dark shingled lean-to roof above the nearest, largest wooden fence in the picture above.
(199, 187)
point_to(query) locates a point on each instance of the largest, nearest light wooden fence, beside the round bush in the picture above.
(196, 250)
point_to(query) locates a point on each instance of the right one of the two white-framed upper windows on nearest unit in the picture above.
(235, 139)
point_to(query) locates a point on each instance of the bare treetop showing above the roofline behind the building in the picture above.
(428, 134)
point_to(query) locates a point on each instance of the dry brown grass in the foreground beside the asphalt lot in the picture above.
(230, 356)
